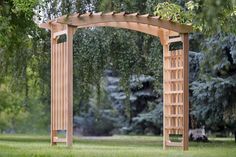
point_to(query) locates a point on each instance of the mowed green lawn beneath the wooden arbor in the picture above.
(116, 146)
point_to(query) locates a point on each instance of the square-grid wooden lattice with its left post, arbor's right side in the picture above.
(173, 95)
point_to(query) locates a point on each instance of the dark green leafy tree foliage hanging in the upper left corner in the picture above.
(16, 29)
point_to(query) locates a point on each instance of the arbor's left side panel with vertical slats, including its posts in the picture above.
(62, 86)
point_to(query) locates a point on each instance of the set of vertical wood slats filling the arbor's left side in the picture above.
(58, 89)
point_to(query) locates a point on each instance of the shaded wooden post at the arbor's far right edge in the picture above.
(186, 91)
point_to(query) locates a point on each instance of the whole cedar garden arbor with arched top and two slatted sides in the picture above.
(175, 69)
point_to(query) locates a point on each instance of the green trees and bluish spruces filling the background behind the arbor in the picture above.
(25, 66)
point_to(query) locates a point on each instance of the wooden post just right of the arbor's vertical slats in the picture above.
(69, 85)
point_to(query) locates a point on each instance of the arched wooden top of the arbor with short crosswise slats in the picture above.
(120, 20)
